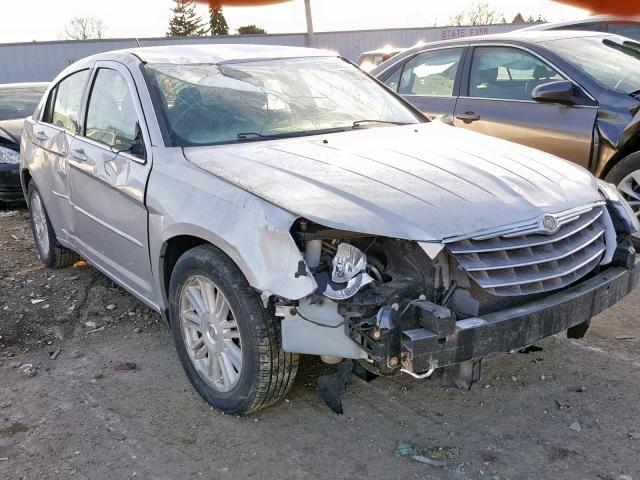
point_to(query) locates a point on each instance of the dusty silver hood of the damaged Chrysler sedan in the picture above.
(421, 182)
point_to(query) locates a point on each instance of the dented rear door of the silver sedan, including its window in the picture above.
(52, 136)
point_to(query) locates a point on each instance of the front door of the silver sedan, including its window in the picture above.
(109, 167)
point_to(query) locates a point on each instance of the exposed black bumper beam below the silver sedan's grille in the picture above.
(515, 328)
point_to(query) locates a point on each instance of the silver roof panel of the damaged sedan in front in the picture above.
(217, 53)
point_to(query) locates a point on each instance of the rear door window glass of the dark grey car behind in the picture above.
(431, 74)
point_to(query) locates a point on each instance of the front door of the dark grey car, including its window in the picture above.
(496, 100)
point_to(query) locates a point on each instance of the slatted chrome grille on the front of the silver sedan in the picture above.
(530, 261)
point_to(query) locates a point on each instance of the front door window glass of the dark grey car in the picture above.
(507, 73)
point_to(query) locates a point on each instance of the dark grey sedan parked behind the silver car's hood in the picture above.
(573, 94)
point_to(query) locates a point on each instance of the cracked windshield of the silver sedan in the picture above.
(206, 104)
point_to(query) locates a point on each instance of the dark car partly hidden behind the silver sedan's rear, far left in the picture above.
(17, 101)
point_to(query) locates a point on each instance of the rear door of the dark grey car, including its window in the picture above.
(430, 81)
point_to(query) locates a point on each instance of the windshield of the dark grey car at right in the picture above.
(607, 61)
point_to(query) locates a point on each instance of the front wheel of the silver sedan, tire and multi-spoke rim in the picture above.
(203, 336)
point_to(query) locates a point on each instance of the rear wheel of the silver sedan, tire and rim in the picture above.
(52, 254)
